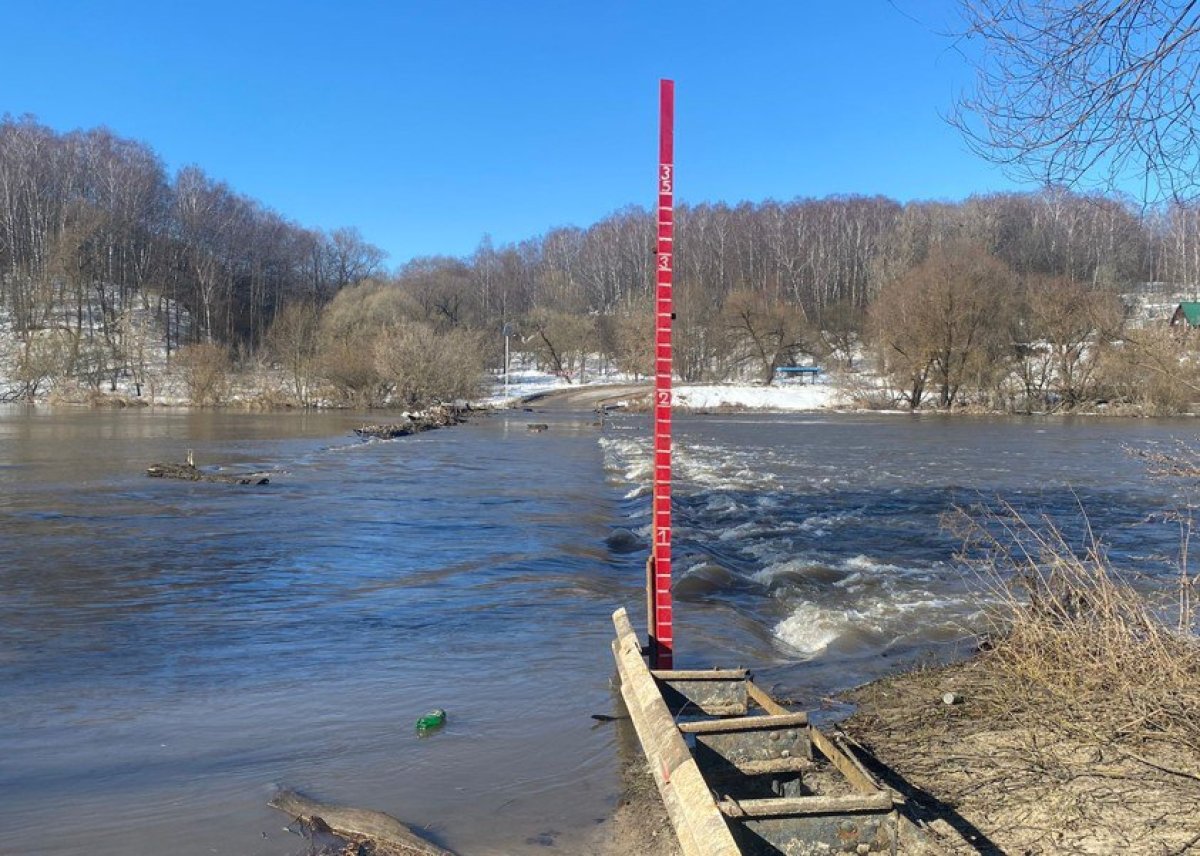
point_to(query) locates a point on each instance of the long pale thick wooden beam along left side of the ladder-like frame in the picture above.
(700, 827)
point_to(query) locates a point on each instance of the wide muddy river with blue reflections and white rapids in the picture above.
(171, 651)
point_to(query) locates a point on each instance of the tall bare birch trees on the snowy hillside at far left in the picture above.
(93, 231)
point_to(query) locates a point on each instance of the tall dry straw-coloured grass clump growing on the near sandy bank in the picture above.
(1077, 648)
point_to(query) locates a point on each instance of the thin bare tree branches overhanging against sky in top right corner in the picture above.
(1072, 91)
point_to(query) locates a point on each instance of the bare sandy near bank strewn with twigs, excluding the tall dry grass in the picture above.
(994, 774)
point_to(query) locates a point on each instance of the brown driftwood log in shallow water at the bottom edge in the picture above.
(361, 829)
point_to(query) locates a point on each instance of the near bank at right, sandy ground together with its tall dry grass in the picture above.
(1079, 729)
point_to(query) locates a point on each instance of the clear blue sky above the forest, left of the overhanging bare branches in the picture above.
(430, 124)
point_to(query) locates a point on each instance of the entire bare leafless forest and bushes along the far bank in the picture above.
(1006, 301)
